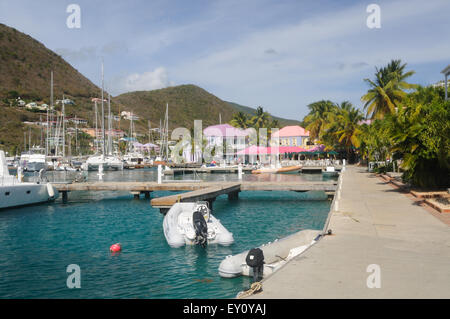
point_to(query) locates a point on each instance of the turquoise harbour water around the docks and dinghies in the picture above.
(39, 242)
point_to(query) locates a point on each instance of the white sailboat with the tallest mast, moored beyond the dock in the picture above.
(106, 159)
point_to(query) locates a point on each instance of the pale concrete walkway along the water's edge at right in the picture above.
(375, 224)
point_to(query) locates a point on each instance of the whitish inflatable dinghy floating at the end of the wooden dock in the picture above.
(193, 224)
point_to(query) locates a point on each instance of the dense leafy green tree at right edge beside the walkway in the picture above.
(420, 133)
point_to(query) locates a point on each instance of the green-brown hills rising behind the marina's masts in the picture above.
(26, 65)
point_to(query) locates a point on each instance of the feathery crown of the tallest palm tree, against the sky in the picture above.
(386, 91)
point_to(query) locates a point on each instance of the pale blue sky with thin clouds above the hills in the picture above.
(278, 54)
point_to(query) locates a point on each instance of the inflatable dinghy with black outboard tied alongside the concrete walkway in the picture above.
(273, 255)
